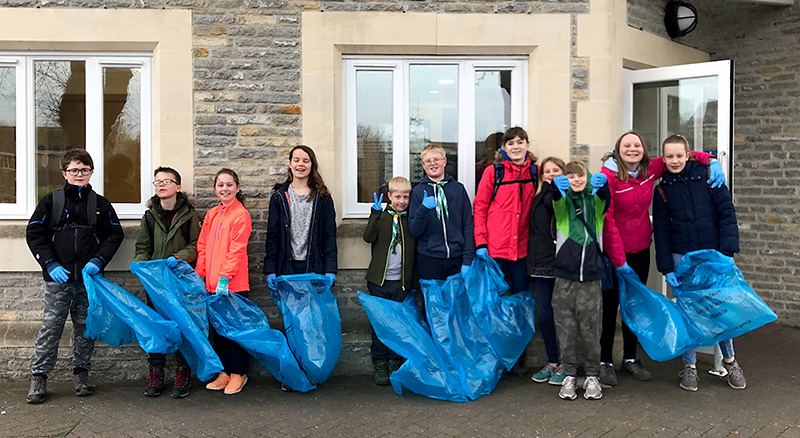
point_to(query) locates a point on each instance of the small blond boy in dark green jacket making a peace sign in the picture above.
(392, 270)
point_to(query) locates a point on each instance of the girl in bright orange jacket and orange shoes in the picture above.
(222, 261)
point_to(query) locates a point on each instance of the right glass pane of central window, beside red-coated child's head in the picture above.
(492, 116)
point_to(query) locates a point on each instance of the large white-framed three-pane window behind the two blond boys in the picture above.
(394, 107)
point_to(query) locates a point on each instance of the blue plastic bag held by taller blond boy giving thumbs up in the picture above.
(458, 336)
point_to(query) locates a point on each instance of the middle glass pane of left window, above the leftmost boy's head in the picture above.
(60, 100)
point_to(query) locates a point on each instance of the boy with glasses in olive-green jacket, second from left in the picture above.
(168, 230)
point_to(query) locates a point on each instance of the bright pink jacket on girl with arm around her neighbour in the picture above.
(628, 228)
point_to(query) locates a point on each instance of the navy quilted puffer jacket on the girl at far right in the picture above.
(690, 216)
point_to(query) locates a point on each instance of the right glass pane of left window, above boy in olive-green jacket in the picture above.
(122, 133)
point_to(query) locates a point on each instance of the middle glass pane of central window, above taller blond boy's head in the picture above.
(433, 115)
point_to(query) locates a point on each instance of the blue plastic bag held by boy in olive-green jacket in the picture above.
(180, 295)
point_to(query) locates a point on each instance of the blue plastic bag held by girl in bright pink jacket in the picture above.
(660, 325)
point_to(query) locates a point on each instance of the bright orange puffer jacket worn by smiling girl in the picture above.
(222, 247)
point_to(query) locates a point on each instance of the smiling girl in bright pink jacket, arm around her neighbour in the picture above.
(627, 234)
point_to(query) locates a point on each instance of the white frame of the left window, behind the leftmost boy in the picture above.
(26, 131)
